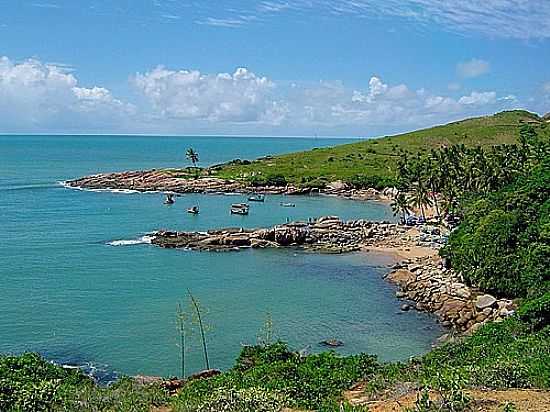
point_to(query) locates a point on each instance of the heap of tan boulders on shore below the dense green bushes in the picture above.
(433, 288)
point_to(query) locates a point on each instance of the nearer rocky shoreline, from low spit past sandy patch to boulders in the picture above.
(423, 282)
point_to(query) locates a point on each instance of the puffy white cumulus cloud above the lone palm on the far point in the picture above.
(190, 95)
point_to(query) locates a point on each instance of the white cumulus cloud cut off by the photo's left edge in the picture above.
(35, 94)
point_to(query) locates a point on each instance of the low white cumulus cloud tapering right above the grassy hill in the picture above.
(391, 106)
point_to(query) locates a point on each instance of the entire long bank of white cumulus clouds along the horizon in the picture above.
(36, 96)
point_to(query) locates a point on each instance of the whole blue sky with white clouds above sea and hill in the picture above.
(279, 67)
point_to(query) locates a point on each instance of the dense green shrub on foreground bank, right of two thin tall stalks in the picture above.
(314, 381)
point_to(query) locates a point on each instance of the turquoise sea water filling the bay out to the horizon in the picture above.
(68, 293)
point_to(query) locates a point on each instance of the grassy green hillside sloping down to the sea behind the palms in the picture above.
(375, 160)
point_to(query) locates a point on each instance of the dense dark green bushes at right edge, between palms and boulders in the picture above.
(503, 242)
